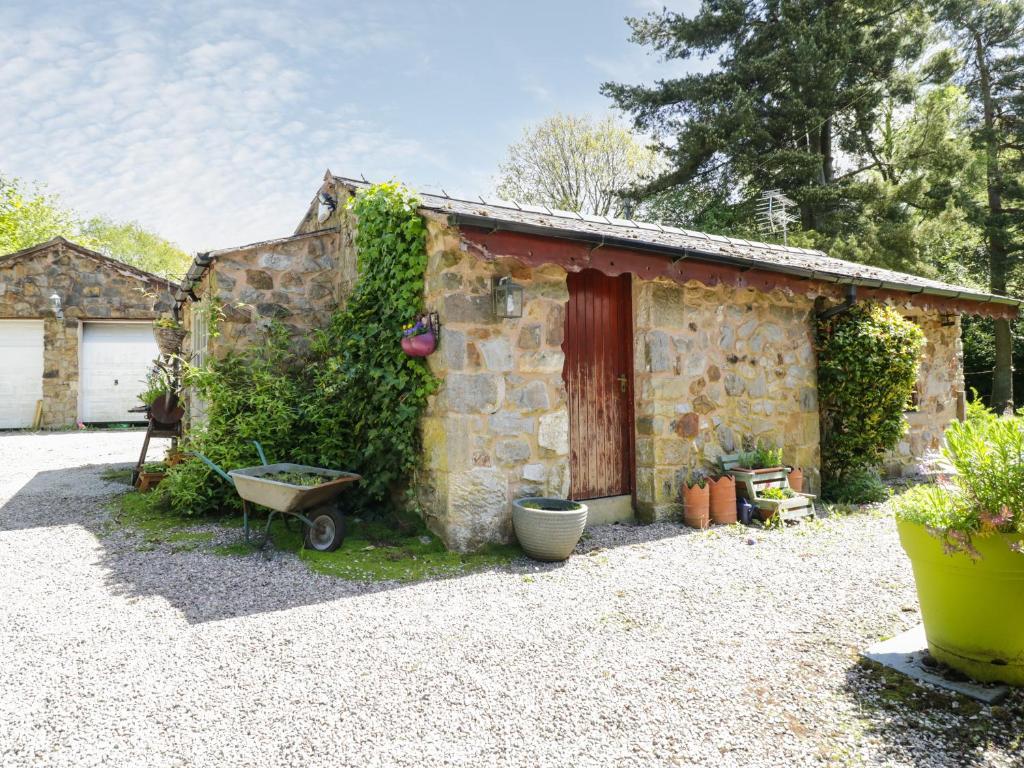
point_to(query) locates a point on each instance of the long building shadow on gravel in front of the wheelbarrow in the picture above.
(206, 587)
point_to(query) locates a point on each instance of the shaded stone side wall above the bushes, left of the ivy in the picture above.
(300, 281)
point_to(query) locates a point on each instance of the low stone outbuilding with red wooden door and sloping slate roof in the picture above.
(642, 352)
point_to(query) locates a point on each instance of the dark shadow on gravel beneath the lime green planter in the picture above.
(929, 728)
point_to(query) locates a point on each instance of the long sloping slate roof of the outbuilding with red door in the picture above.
(676, 243)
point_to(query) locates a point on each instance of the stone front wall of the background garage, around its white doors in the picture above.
(91, 287)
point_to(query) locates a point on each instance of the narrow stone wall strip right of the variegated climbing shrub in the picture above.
(941, 392)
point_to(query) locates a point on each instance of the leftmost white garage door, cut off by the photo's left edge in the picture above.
(21, 372)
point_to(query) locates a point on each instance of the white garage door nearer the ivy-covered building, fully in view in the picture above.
(116, 358)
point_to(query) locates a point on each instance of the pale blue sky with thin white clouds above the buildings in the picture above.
(212, 122)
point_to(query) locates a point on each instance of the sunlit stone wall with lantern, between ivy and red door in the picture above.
(498, 429)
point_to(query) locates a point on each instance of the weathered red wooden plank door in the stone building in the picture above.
(600, 380)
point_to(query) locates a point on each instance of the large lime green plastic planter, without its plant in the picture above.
(973, 610)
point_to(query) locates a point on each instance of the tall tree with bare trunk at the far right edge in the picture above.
(989, 36)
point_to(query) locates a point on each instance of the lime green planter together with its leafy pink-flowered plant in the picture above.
(965, 538)
